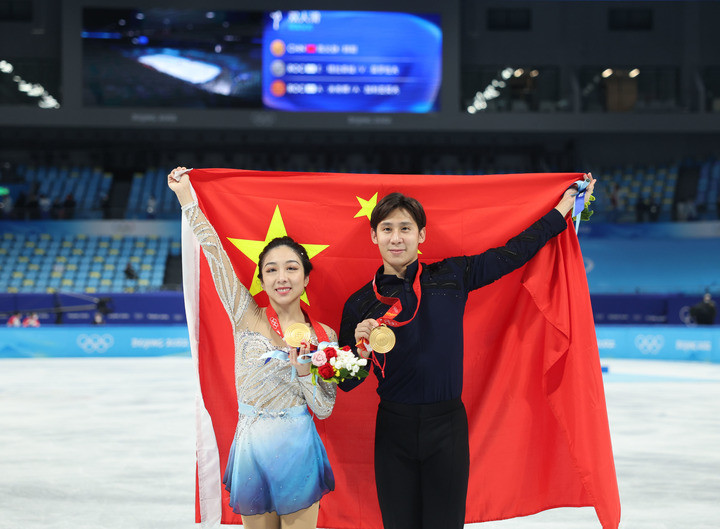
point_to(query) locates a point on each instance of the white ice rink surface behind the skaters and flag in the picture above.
(109, 444)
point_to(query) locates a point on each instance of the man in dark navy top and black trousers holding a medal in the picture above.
(422, 456)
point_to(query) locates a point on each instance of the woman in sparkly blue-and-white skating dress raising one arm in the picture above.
(278, 469)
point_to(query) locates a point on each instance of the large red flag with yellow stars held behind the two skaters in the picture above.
(533, 387)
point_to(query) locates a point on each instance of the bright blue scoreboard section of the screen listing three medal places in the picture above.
(351, 61)
